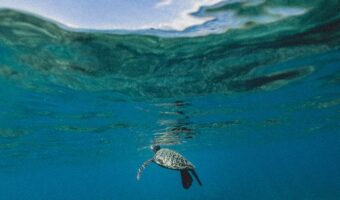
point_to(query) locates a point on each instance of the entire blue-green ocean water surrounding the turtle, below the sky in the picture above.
(255, 108)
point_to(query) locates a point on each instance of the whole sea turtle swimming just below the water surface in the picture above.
(172, 160)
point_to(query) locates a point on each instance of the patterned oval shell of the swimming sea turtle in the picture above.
(171, 160)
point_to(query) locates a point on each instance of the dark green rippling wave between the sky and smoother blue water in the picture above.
(40, 55)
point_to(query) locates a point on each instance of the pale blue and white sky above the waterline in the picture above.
(116, 14)
